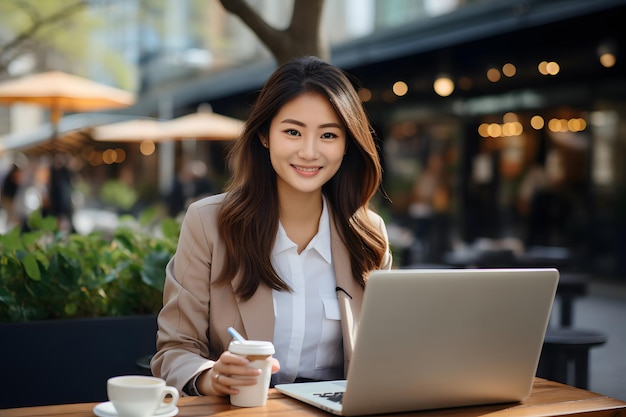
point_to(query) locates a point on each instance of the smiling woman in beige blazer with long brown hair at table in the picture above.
(284, 254)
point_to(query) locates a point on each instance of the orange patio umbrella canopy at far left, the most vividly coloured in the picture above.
(60, 92)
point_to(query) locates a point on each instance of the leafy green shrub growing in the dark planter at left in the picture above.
(48, 274)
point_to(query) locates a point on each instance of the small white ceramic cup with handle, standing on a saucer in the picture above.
(140, 395)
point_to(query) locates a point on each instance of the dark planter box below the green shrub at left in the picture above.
(69, 361)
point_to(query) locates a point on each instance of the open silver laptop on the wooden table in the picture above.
(441, 338)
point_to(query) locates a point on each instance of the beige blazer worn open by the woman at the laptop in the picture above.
(197, 312)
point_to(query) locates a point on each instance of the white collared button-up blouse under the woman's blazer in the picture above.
(307, 330)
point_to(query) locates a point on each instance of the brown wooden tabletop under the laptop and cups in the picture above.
(547, 399)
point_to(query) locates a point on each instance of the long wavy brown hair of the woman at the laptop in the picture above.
(248, 220)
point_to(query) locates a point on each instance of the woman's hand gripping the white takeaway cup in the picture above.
(229, 370)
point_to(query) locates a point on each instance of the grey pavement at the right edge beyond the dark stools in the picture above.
(604, 310)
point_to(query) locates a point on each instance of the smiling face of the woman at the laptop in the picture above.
(307, 142)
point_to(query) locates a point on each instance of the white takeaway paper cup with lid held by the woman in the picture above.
(259, 353)
